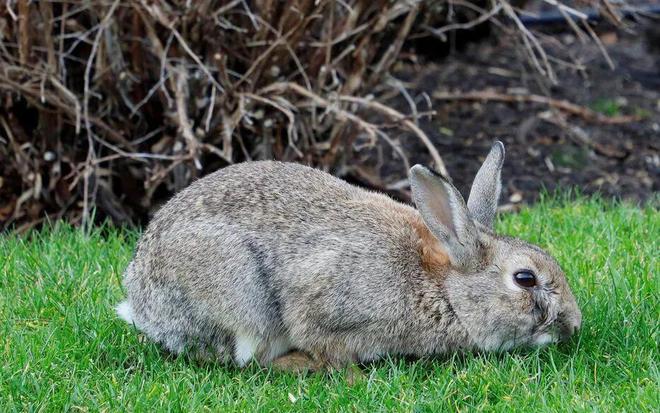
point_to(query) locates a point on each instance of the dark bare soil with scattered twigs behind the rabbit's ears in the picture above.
(546, 147)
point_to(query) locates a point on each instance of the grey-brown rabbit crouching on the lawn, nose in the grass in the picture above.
(290, 266)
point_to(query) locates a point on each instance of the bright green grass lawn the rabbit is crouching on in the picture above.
(62, 348)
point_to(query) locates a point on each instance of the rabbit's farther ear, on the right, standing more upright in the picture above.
(485, 192)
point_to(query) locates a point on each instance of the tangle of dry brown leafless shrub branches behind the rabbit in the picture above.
(118, 104)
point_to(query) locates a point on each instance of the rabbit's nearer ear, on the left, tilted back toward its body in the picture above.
(444, 212)
